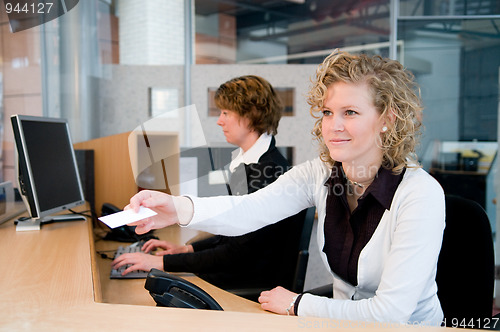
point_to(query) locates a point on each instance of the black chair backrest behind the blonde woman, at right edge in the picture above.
(466, 265)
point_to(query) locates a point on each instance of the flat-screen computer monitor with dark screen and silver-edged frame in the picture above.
(48, 175)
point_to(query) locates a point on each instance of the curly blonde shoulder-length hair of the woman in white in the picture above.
(393, 90)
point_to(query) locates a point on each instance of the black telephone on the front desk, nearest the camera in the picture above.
(169, 290)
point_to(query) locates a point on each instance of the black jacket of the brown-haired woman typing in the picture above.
(262, 259)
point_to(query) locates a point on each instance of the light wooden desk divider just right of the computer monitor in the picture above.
(115, 171)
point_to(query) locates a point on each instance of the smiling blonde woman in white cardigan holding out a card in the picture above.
(381, 216)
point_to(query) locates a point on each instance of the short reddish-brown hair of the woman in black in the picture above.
(254, 98)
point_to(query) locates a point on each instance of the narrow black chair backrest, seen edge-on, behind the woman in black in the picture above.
(303, 255)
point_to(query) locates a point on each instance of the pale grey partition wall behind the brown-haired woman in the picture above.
(124, 105)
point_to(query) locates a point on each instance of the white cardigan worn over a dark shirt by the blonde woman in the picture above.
(397, 267)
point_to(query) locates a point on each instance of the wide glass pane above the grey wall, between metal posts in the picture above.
(287, 32)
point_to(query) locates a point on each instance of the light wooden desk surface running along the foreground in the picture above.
(48, 284)
